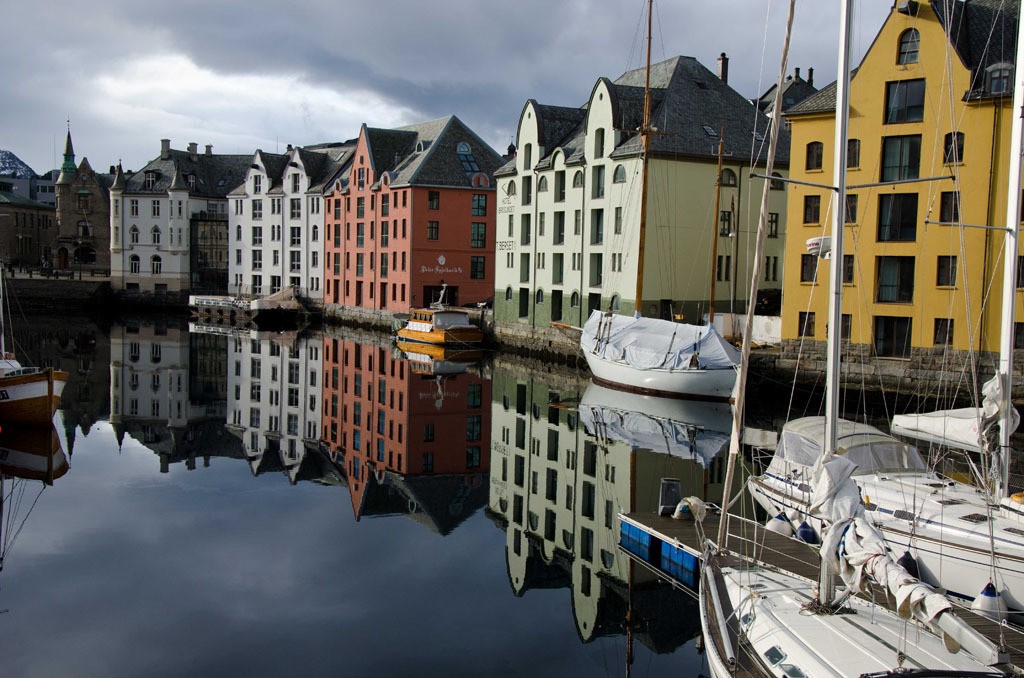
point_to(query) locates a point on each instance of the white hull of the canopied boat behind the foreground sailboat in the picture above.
(924, 515)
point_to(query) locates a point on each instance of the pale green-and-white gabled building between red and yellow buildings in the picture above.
(570, 203)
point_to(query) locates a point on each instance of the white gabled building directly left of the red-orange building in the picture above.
(277, 221)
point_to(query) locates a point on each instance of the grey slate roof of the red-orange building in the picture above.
(437, 163)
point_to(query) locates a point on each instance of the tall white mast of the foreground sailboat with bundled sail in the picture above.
(827, 585)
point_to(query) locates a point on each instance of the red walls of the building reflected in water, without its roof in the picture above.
(383, 414)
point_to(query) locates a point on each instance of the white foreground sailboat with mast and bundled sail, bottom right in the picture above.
(764, 621)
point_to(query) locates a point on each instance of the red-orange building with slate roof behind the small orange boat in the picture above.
(418, 211)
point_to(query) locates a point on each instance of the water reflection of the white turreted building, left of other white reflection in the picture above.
(167, 391)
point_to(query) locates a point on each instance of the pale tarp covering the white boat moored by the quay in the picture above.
(651, 344)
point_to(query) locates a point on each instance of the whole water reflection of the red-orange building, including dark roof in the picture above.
(411, 435)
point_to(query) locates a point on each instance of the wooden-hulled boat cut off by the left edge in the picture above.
(28, 395)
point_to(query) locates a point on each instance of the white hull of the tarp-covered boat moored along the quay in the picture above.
(695, 384)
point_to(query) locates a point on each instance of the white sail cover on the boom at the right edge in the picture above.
(965, 429)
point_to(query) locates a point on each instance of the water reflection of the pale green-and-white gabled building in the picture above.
(558, 490)
